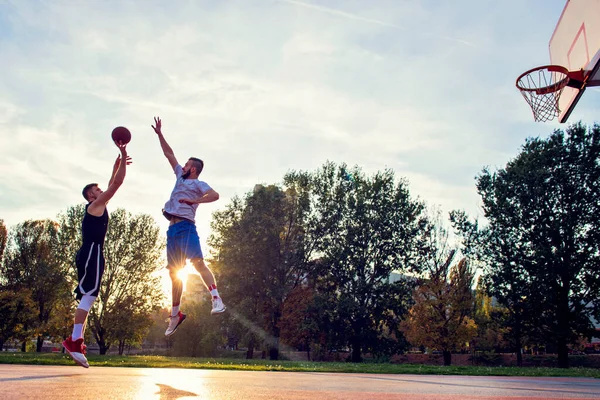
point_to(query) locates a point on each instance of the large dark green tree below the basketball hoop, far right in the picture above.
(544, 235)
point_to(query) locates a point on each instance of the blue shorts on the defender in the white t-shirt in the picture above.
(182, 243)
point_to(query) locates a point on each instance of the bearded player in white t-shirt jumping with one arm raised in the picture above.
(182, 238)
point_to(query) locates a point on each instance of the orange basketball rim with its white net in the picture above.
(541, 87)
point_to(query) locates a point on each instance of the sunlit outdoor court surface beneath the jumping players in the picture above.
(66, 382)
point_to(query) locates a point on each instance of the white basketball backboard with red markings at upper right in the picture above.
(575, 45)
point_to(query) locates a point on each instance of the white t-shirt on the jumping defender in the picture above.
(191, 189)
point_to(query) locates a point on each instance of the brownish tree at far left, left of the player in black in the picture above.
(31, 263)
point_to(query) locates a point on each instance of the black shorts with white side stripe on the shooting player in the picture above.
(90, 268)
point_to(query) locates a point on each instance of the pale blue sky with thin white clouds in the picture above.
(257, 88)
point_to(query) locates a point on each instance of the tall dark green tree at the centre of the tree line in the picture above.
(367, 227)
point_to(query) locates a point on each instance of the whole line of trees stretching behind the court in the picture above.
(337, 259)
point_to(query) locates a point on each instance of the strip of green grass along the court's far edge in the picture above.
(290, 366)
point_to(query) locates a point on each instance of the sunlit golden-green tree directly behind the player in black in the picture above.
(130, 287)
